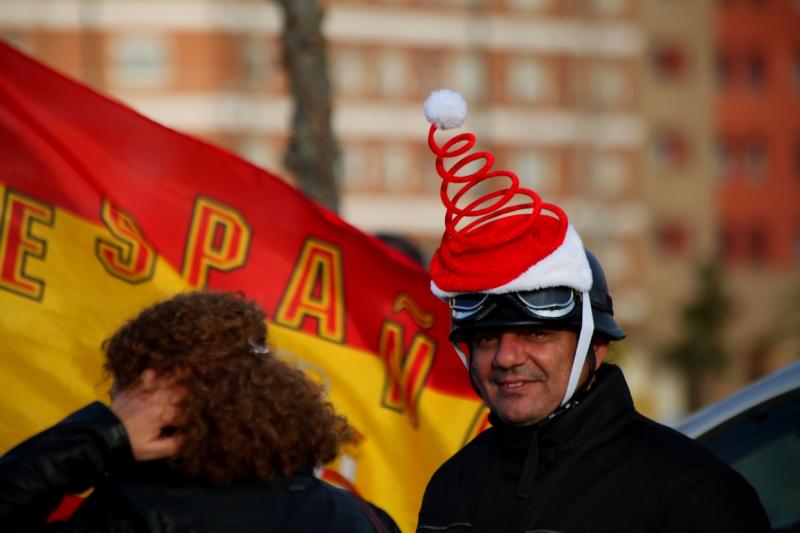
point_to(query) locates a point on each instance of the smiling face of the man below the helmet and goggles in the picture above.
(522, 373)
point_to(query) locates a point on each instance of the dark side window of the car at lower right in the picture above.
(763, 444)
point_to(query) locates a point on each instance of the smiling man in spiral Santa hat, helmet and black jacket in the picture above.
(532, 320)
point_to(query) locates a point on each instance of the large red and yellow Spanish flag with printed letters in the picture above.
(104, 212)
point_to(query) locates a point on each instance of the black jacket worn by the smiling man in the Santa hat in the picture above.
(597, 467)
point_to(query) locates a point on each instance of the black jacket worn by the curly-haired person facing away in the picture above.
(90, 449)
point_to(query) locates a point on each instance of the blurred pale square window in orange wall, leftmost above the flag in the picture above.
(142, 60)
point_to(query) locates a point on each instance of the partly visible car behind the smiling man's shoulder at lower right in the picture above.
(757, 432)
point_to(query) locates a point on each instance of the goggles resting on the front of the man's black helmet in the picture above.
(550, 303)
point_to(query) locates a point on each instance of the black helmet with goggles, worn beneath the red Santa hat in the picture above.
(558, 307)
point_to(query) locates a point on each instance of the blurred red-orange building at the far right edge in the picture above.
(757, 143)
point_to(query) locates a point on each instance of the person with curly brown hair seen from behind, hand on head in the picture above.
(206, 431)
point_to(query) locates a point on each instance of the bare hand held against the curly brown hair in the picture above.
(149, 411)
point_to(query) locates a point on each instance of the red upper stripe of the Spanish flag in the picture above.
(70, 147)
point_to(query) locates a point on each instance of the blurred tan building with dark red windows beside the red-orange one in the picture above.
(676, 179)
